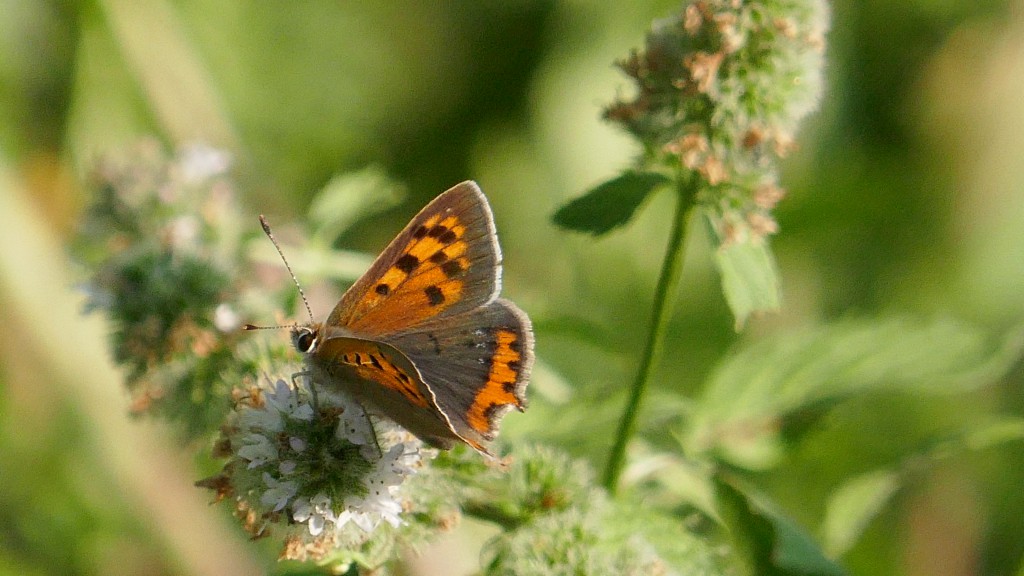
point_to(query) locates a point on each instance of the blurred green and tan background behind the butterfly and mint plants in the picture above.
(907, 197)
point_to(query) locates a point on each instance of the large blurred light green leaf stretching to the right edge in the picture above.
(765, 387)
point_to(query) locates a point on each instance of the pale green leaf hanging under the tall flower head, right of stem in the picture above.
(750, 279)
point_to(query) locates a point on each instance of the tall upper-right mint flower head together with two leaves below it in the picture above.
(719, 92)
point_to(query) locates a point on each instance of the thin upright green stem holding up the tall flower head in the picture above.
(667, 285)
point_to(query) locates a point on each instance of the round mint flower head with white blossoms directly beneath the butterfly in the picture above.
(312, 469)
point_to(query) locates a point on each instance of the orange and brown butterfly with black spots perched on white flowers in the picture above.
(423, 338)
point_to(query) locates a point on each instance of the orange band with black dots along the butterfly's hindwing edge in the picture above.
(499, 392)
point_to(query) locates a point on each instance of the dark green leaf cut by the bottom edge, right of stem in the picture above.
(772, 544)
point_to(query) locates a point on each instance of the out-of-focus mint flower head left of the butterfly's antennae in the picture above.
(162, 243)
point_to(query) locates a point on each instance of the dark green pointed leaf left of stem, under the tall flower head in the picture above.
(610, 205)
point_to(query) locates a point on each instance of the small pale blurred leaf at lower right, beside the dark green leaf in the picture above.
(855, 506)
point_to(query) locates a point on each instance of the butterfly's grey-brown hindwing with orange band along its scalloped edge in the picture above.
(476, 365)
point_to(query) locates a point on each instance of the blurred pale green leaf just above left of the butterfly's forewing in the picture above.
(350, 198)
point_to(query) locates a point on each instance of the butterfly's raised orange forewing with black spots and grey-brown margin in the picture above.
(445, 263)
